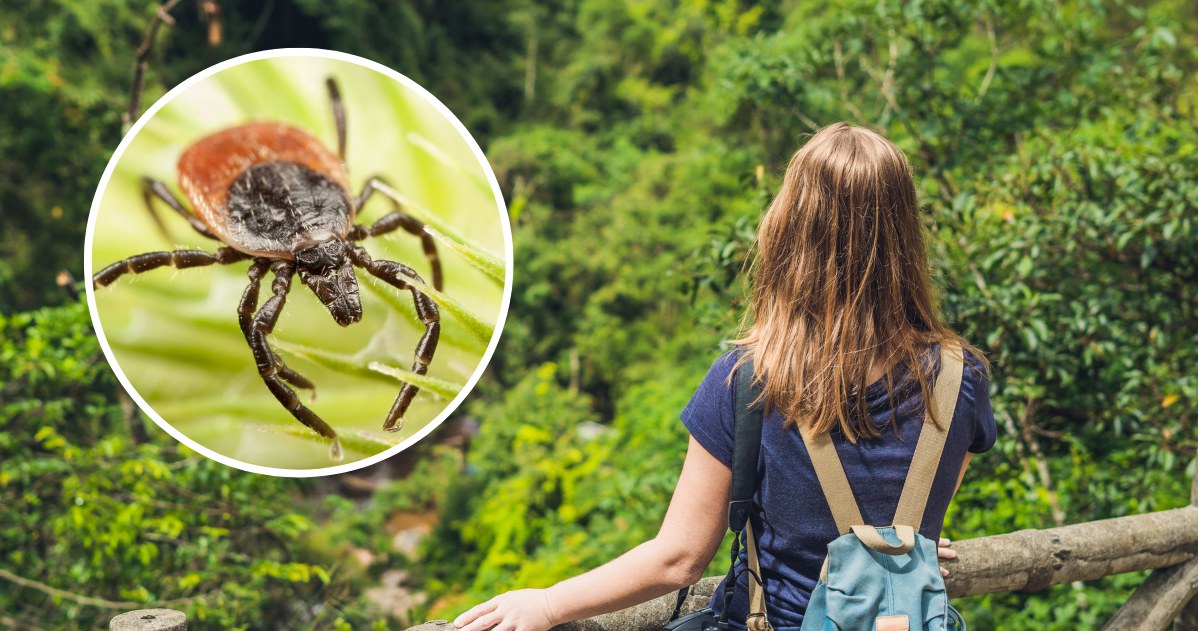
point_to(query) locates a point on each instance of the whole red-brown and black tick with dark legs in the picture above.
(277, 197)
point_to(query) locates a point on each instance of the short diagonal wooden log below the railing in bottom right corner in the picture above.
(1158, 600)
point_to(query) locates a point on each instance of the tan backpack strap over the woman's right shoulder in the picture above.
(931, 439)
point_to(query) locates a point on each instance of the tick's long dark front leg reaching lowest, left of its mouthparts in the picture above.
(259, 329)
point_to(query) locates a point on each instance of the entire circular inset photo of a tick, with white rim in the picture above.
(301, 263)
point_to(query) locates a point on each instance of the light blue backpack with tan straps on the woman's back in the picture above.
(882, 579)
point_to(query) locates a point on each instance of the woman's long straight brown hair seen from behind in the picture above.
(840, 282)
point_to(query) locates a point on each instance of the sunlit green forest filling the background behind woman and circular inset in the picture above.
(637, 144)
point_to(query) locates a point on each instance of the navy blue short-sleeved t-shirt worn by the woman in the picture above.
(791, 518)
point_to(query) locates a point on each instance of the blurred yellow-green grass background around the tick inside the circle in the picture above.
(176, 335)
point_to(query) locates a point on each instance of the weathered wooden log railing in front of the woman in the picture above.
(1165, 542)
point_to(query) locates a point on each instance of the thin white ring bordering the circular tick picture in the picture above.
(437, 105)
